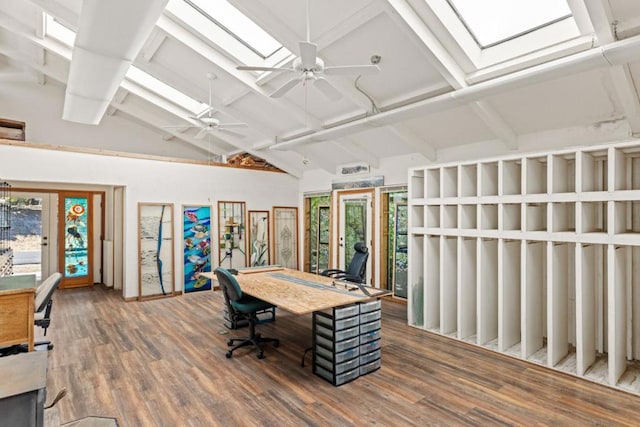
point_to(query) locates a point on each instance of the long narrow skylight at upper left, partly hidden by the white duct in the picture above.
(66, 36)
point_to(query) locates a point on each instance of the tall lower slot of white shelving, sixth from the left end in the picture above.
(509, 303)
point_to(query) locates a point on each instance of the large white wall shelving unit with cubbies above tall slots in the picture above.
(533, 256)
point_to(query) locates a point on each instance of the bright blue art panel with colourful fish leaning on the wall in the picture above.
(196, 238)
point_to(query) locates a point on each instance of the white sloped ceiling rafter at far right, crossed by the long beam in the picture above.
(626, 91)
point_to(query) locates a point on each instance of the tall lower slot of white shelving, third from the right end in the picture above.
(560, 279)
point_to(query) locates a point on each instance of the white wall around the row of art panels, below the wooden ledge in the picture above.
(151, 181)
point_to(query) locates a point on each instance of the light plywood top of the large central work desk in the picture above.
(295, 291)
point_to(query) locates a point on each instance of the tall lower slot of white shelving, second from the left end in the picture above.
(432, 283)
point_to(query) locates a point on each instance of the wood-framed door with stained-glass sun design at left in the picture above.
(75, 248)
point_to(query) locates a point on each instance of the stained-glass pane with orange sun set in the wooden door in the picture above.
(76, 259)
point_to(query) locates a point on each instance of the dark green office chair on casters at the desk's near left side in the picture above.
(243, 306)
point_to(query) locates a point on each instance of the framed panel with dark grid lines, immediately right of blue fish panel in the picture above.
(232, 234)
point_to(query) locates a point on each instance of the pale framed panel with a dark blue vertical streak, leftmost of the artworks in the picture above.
(155, 250)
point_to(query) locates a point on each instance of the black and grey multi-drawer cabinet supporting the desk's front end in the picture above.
(346, 342)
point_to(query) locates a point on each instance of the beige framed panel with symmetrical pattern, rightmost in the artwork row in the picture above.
(285, 236)
